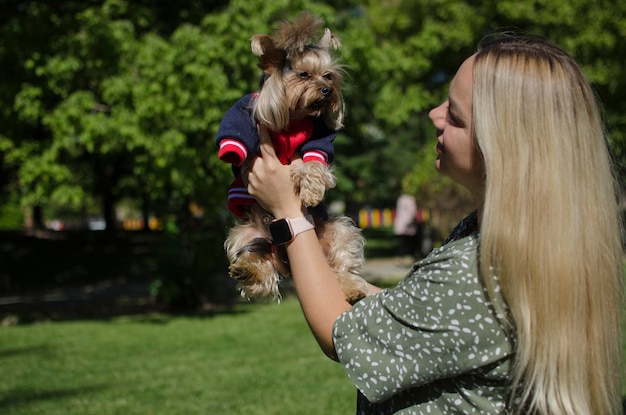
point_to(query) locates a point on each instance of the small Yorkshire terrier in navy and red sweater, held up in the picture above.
(301, 105)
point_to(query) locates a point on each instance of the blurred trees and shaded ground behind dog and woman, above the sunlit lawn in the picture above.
(109, 109)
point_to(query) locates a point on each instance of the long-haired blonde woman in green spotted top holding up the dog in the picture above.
(519, 311)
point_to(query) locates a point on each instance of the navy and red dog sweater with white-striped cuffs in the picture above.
(237, 139)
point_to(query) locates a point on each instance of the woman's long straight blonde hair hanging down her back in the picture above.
(550, 232)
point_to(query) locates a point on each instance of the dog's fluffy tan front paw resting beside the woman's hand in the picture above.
(312, 179)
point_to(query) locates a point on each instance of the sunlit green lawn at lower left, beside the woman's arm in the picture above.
(255, 359)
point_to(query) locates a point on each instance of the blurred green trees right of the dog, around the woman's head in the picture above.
(403, 53)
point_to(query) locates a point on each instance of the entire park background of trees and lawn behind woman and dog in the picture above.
(109, 178)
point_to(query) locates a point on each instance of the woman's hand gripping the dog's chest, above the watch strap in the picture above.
(269, 181)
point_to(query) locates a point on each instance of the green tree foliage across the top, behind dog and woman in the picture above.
(110, 100)
